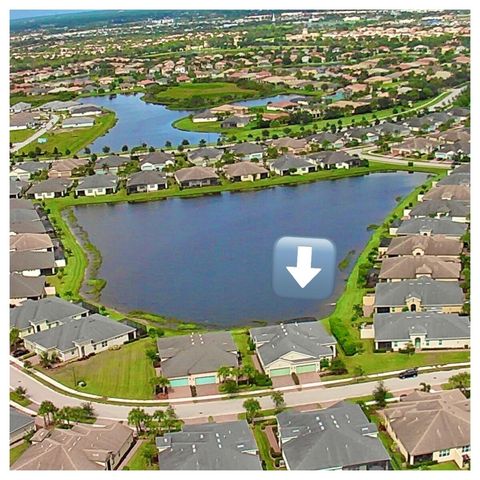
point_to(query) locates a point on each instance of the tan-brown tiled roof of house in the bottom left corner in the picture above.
(83, 447)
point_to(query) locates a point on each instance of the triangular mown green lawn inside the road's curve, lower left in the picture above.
(123, 373)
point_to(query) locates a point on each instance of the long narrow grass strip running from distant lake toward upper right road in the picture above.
(252, 131)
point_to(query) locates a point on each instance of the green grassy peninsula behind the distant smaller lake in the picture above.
(200, 95)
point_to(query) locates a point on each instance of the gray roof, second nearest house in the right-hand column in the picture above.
(432, 293)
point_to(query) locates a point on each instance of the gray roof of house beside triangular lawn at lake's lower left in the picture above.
(92, 329)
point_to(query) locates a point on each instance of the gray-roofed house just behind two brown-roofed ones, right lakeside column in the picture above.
(427, 226)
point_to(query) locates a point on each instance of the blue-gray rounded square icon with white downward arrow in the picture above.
(304, 267)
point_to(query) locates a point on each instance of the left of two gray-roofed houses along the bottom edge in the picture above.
(209, 446)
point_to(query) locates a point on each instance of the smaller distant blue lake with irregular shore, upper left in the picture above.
(151, 123)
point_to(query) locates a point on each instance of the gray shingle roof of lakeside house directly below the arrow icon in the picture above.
(308, 338)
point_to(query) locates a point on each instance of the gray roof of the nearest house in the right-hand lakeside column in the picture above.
(437, 326)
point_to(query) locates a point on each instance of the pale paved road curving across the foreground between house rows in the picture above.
(38, 392)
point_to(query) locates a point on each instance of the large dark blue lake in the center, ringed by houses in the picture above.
(209, 259)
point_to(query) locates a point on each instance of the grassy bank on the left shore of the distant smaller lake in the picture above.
(72, 139)
